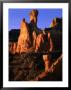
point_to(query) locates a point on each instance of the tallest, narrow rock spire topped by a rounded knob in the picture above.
(33, 25)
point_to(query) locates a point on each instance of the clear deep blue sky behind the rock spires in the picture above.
(45, 17)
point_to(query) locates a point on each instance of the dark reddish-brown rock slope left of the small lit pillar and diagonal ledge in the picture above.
(25, 66)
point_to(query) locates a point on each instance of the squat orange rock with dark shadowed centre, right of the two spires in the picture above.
(44, 42)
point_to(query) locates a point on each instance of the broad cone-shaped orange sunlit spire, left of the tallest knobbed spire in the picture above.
(24, 38)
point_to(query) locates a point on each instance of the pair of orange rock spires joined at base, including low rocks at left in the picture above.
(28, 33)
